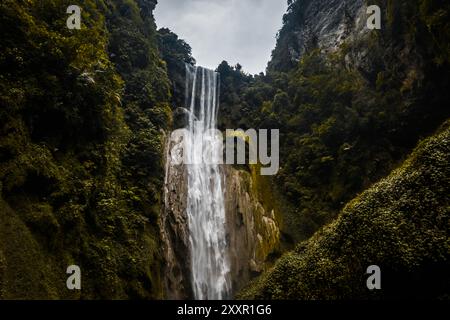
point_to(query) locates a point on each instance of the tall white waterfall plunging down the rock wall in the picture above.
(205, 198)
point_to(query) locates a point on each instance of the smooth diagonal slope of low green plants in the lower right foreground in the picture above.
(400, 224)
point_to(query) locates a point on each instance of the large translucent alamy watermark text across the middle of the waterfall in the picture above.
(238, 144)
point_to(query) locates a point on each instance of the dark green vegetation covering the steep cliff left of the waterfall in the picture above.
(81, 149)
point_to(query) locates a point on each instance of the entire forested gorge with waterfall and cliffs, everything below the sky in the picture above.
(90, 171)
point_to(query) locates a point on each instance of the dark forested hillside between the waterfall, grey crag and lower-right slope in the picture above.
(345, 121)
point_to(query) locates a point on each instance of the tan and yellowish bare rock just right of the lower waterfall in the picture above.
(253, 231)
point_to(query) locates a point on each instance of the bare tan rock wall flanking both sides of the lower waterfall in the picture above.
(252, 232)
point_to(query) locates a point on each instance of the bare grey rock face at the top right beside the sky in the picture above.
(322, 23)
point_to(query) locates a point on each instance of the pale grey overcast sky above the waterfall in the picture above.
(241, 31)
